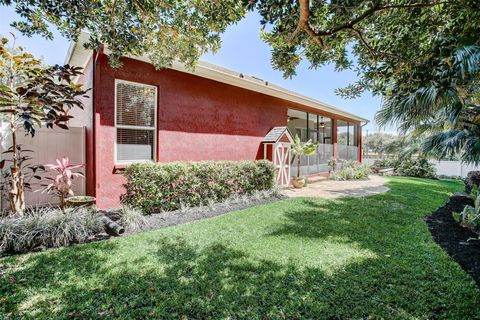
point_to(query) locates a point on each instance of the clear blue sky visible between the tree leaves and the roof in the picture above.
(243, 51)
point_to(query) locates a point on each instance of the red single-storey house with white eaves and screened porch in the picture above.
(138, 113)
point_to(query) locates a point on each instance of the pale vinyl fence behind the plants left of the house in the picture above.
(47, 146)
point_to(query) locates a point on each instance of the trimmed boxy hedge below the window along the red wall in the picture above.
(156, 187)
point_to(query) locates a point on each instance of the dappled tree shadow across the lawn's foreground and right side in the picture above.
(176, 279)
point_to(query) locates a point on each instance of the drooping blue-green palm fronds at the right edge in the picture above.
(445, 111)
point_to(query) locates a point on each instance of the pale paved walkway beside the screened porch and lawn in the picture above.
(325, 188)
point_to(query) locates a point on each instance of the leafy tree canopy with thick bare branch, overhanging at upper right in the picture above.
(395, 43)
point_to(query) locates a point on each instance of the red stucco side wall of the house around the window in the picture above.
(198, 119)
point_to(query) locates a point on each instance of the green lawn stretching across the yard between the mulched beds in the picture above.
(297, 258)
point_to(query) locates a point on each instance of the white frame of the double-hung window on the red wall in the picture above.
(154, 128)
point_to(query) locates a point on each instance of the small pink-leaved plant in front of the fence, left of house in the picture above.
(61, 183)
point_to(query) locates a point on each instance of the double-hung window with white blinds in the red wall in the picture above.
(135, 121)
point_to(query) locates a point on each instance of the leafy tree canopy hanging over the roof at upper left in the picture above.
(165, 30)
